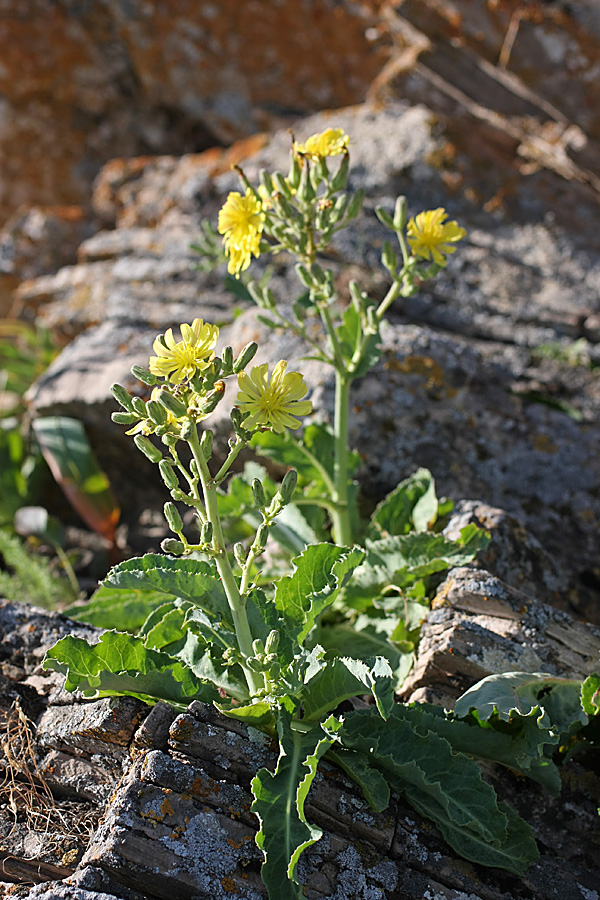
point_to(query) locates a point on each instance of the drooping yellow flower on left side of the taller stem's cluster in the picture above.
(241, 222)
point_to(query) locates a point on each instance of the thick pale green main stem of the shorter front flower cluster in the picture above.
(234, 599)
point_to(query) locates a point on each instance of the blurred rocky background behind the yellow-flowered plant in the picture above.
(120, 120)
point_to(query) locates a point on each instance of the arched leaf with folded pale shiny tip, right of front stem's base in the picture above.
(341, 678)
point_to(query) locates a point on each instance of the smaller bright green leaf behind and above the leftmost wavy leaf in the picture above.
(122, 610)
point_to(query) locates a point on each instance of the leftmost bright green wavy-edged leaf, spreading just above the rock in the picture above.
(121, 664)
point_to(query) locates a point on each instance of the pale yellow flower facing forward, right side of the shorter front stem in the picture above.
(272, 403)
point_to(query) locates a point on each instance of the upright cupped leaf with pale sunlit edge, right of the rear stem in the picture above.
(411, 506)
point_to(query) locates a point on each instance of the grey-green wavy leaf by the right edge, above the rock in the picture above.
(558, 699)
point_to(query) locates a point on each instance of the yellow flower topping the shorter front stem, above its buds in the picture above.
(177, 360)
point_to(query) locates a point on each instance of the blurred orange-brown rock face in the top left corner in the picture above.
(82, 83)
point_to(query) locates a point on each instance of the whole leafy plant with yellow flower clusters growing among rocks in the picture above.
(285, 653)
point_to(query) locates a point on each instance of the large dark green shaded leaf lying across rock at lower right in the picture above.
(444, 785)
